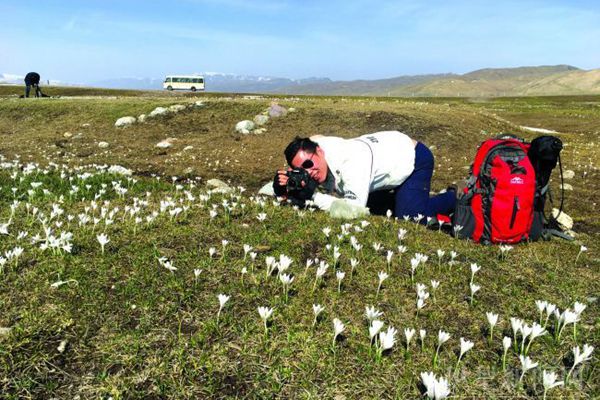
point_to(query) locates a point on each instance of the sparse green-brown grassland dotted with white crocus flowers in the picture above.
(121, 325)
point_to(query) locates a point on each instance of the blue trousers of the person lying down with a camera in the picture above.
(412, 196)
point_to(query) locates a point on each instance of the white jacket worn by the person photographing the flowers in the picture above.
(376, 161)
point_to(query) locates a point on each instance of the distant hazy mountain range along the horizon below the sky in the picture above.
(521, 81)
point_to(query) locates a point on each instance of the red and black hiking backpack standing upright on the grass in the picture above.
(498, 203)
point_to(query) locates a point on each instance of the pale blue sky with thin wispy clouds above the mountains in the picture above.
(89, 40)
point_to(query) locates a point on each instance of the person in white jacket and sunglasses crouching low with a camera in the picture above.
(361, 172)
